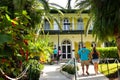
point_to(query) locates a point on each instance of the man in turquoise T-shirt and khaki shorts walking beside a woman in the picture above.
(84, 54)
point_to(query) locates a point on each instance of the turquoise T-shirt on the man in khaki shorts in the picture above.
(84, 54)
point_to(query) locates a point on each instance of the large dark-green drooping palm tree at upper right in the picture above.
(106, 17)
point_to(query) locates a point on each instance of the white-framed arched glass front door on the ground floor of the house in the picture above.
(66, 49)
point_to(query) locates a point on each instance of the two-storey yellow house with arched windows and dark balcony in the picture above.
(71, 37)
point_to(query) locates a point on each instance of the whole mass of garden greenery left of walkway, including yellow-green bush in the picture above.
(23, 45)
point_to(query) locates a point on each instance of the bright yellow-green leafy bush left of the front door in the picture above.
(41, 47)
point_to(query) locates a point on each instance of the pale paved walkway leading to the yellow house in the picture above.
(51, 72)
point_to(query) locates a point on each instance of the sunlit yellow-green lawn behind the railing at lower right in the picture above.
(110, 70)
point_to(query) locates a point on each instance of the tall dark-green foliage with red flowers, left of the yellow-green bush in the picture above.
(19, 18)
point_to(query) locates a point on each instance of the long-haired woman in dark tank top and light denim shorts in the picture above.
(95, 59)
